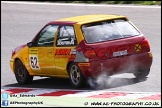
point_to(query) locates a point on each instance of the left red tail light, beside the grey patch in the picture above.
(89, 53)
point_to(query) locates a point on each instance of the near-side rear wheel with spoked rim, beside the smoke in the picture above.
(75, 75)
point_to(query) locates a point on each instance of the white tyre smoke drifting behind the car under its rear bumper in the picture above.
(104, 81)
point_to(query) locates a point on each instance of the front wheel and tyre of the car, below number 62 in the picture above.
(21, 74)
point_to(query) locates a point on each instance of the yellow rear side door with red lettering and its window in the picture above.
(66, 41)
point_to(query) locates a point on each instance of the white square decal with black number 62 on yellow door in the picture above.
(34, 62)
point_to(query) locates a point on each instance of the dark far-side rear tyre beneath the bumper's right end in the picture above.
(141, 73)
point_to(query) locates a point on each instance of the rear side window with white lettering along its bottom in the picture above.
(66, 36)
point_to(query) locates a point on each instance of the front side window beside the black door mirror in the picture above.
(46, 36)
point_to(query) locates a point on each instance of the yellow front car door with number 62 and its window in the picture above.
(41, 54)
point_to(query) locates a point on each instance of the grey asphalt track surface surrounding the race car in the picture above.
(21, 22)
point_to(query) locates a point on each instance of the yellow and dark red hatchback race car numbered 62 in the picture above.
(83, 47)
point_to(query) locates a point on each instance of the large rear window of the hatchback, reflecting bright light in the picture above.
(108, 30)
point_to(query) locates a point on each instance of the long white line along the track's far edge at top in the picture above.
(79, 4)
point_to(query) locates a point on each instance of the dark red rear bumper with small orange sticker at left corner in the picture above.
(117, 65)
